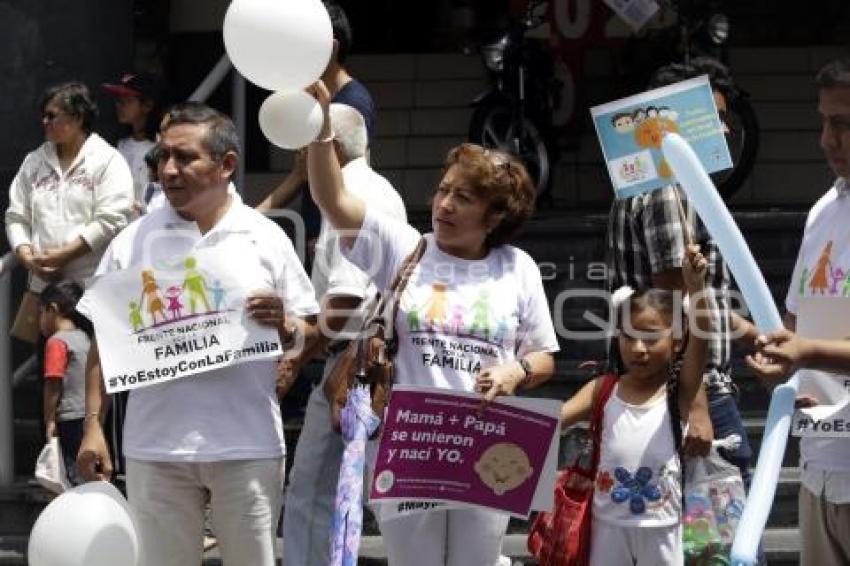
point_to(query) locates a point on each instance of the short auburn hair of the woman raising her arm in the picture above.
(501, 179)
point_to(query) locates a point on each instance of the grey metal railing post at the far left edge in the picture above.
(7, 448)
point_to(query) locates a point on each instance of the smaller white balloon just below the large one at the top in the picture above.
(290, 119)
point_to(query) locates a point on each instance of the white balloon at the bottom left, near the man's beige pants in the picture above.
(89, 525)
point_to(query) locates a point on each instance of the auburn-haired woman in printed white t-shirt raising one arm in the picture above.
(473, 316)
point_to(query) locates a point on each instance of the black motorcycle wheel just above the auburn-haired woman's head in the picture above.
(492, 127)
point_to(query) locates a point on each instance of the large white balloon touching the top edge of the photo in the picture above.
(278, 44)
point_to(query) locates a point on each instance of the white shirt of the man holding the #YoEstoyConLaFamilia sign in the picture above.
(230, 413)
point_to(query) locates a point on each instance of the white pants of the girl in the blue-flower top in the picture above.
(614, 545)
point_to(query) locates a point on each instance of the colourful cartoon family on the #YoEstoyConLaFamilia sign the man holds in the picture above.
(168, 306)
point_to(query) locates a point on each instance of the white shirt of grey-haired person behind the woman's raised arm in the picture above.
(332, 273)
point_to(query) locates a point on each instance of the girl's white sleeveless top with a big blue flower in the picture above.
(639, 478)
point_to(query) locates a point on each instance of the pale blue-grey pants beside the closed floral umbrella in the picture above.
(309, 508)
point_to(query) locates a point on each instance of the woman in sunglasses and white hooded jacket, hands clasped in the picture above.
(71, 195)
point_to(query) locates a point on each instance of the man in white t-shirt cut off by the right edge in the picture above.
(824, 500)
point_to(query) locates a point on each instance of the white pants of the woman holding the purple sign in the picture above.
(459, 537)
